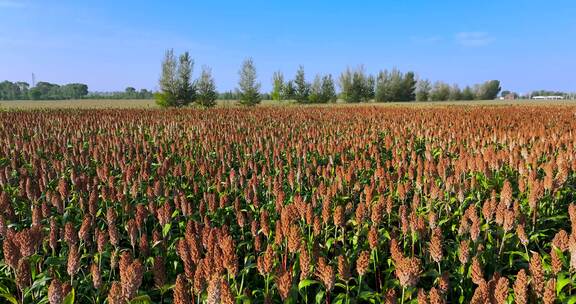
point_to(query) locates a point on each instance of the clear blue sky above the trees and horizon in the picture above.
(527, 44)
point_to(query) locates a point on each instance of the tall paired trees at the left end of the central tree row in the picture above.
(176, 87)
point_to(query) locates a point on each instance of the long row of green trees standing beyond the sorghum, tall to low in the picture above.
(177, 88)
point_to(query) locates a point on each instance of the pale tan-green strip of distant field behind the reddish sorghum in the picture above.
(150, 104)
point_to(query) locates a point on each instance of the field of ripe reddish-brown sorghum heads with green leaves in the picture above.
(303, 205)
